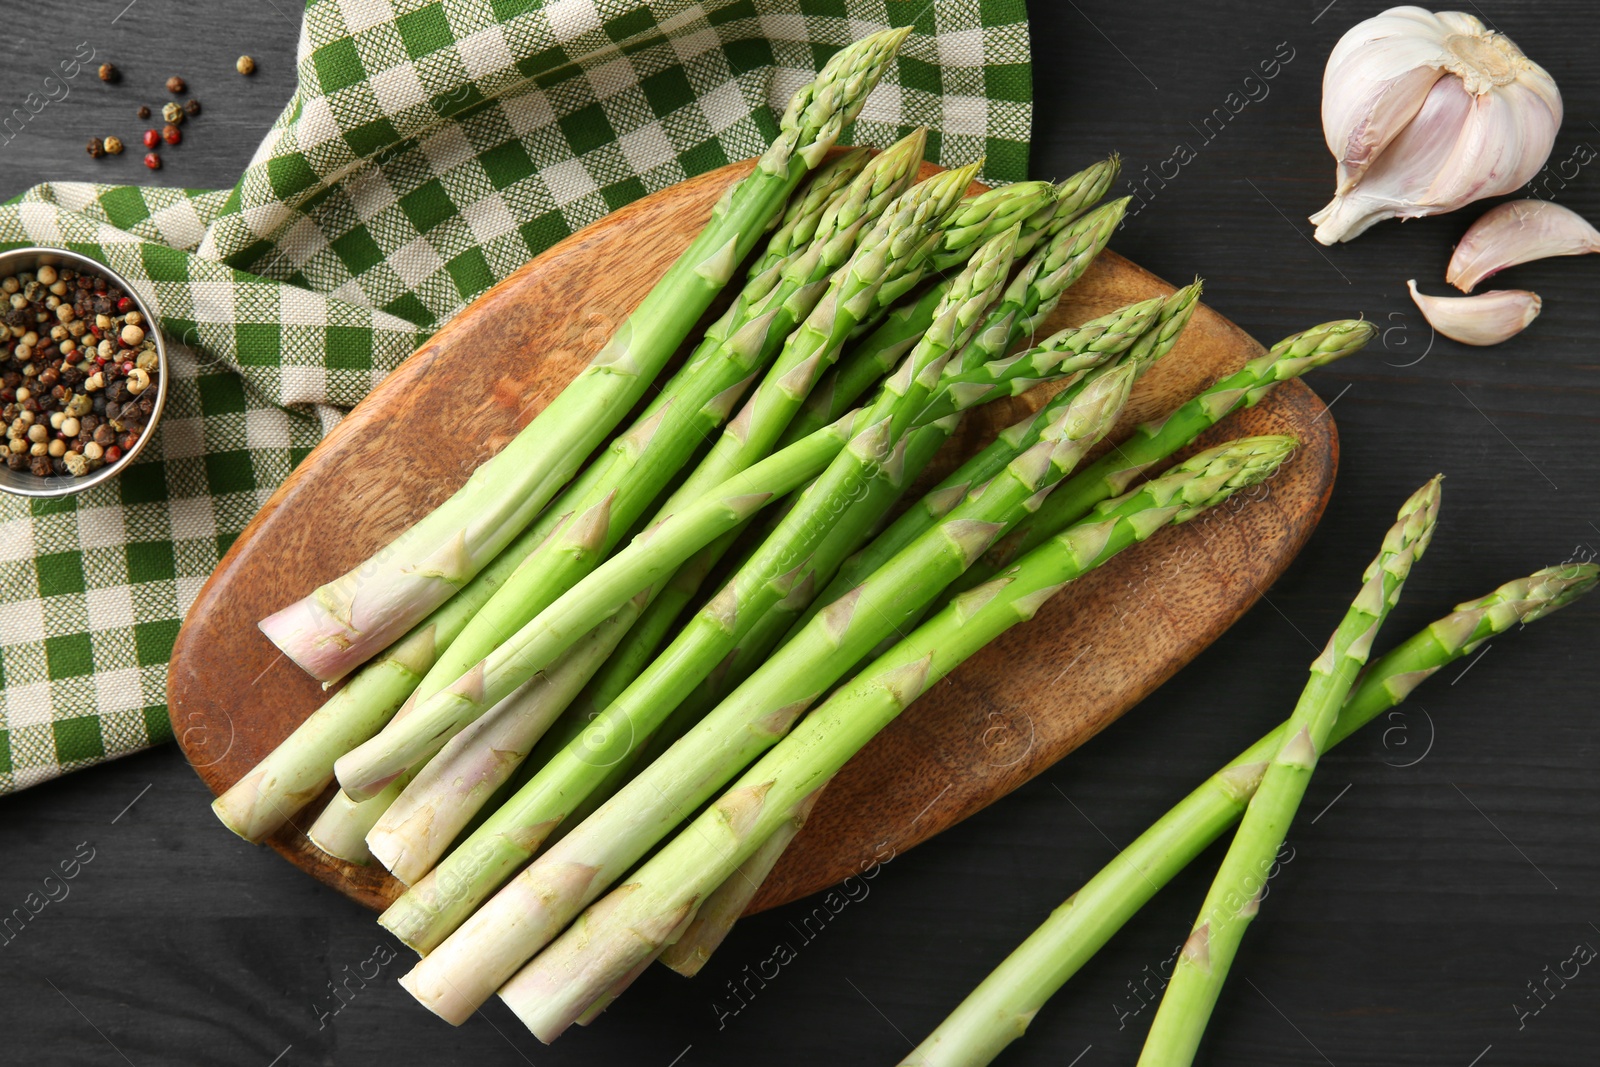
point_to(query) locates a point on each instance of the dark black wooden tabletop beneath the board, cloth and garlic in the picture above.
(1444, 860)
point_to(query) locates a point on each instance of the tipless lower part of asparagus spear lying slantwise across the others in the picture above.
(650, 559)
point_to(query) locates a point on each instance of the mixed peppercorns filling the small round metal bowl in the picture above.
(68, 406)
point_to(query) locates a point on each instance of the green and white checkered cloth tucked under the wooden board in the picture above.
(430, 151)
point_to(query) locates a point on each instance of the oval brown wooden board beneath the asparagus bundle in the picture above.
(1009, 714)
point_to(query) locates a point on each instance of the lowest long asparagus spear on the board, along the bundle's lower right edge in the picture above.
(638, 919)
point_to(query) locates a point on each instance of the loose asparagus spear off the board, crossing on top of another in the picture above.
(1236, 895)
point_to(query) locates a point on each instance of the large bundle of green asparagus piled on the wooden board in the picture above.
(537, 703)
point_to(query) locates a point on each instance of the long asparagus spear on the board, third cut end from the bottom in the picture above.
(439, 903)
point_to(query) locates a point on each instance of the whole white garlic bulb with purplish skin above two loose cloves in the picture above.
(1428, 113)
